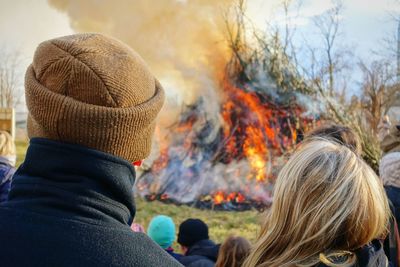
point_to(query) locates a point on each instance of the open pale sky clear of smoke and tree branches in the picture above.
(25, 23)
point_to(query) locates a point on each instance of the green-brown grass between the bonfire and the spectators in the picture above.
(221, 223)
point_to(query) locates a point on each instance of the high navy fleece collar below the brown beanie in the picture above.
(72, 181)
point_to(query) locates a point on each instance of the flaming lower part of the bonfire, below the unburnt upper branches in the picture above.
(228, 161)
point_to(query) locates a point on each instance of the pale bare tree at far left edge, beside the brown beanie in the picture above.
(10, 79)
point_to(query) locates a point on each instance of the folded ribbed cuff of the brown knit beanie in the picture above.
(124, 132)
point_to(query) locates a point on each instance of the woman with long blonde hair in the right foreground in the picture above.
(329, 208)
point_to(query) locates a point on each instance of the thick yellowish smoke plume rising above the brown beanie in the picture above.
(181, 40)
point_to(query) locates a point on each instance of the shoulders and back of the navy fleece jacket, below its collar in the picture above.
(71, 243)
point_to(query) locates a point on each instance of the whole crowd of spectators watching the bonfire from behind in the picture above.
(92, 106)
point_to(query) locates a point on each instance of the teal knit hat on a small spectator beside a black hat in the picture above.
(162, 230)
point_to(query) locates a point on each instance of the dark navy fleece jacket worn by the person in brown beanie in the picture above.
(72, 206)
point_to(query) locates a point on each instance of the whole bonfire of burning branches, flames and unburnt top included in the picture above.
(229, 159)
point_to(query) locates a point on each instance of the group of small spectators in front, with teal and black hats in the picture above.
(196, 247)
